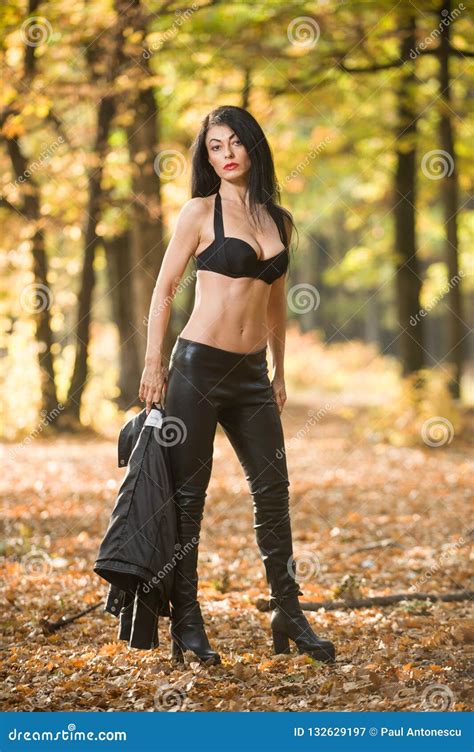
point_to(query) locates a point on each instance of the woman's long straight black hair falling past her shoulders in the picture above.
(263, 186)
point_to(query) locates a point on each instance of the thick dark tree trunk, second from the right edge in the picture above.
(408, 282)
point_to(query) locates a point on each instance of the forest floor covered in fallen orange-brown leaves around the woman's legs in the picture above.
(347, 493)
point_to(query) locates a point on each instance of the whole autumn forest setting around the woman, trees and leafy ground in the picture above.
(366, 106)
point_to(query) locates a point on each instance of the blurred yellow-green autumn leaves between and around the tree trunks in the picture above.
(332, 135)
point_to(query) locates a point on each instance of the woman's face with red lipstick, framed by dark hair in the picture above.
(226, 153)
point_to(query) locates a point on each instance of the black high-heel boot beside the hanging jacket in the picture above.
(188, 633)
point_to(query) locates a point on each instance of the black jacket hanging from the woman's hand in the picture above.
(137, 553)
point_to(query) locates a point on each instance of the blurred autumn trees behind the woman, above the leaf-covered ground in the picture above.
(366, 108)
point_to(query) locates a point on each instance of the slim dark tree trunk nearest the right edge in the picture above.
(449, 190)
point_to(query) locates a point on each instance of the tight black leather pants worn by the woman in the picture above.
(207, 385)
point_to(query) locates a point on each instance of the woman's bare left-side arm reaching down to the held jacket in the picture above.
(183, 243)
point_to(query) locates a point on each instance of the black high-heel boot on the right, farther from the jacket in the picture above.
(289, 622)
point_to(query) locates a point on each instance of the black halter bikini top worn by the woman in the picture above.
(234, 257)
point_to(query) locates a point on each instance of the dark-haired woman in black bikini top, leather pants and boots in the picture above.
(218, 372)
